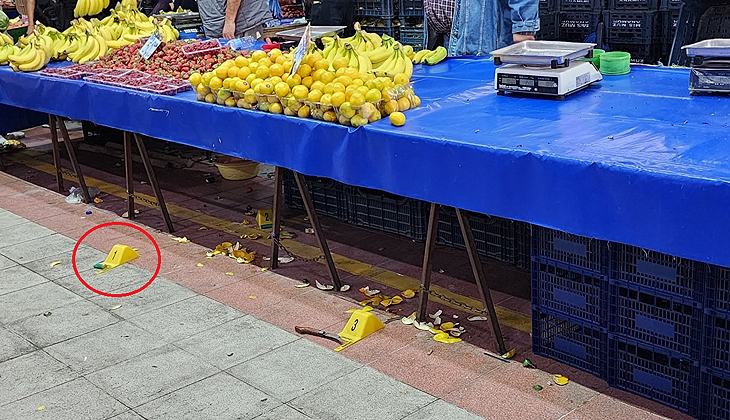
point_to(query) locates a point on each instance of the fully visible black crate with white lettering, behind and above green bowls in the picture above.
(629, 27)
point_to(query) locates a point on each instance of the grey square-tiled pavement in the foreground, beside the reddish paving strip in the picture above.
(166, 353)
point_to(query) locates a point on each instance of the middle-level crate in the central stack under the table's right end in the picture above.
(662, 320)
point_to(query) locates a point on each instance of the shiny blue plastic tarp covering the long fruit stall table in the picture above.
(634, 159)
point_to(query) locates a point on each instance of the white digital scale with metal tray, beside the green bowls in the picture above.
(544, 68)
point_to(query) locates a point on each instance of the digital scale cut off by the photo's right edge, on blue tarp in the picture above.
(710, 66)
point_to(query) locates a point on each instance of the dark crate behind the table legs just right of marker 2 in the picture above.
(328, 196)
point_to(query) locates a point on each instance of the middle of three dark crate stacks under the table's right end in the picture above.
(656, 325)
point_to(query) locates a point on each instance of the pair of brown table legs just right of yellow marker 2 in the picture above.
(313, 219)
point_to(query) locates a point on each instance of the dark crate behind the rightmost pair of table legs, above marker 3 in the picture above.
(493, 236)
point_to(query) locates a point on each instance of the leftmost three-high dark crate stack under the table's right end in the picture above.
(570, 299)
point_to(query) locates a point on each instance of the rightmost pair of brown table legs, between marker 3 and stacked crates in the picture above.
(476, 266)
